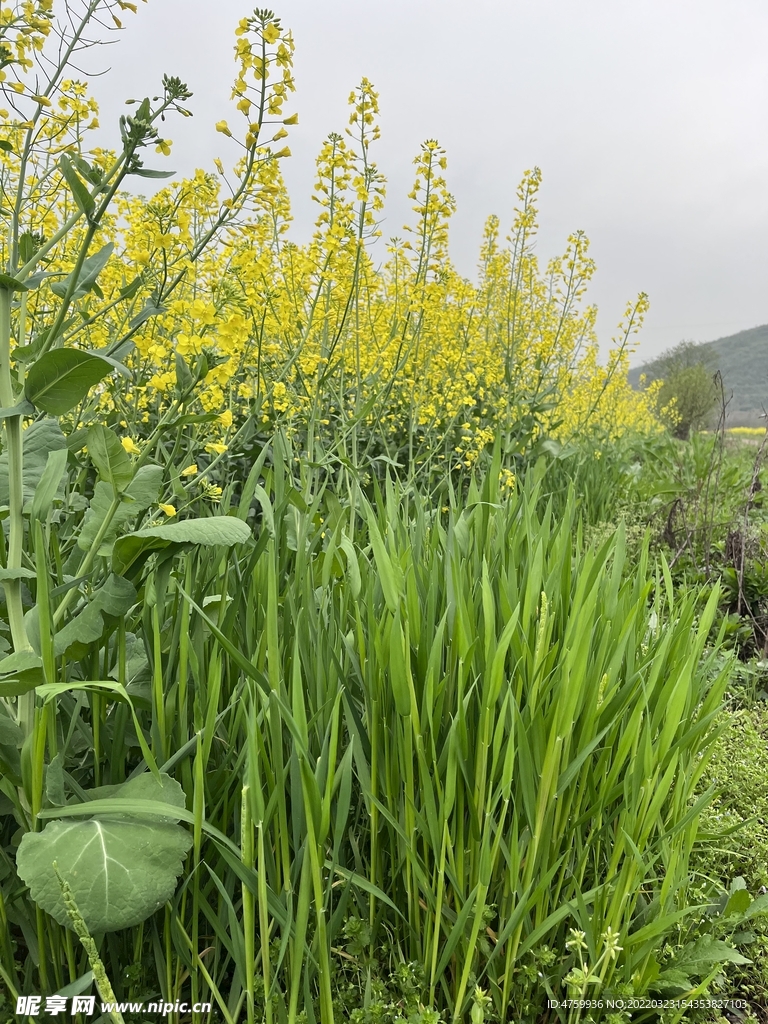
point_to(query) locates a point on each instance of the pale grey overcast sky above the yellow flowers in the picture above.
(649, 121)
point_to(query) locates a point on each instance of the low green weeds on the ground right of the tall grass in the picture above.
(700, 502)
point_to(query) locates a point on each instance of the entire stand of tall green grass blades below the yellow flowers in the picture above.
(454, 741)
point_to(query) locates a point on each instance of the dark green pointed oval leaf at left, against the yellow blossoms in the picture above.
(63, 377)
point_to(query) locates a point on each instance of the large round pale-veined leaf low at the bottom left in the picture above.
(121, 868)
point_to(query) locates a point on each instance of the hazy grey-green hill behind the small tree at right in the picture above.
(743, 360)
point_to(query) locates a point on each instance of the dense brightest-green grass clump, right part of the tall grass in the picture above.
(526, 729)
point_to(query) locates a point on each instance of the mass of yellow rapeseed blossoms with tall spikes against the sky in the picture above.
(407, 361)
